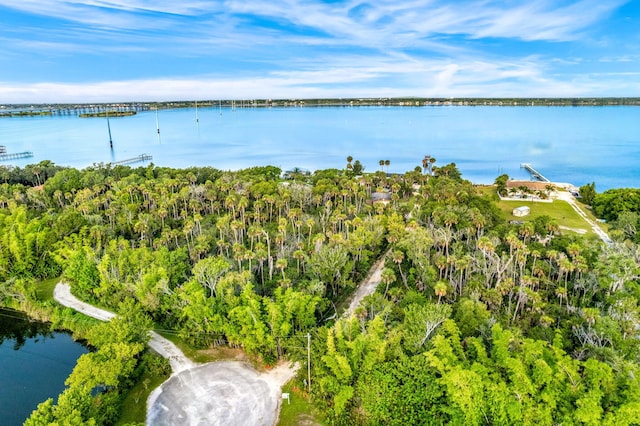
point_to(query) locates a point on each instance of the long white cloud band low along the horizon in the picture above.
(428, 78)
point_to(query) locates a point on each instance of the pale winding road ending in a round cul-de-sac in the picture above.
(216, 393)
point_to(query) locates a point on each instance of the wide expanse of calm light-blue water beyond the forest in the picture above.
(567, 144)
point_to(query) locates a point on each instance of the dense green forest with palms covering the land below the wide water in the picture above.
(476, 320)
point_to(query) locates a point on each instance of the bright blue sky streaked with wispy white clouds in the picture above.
(160, 50)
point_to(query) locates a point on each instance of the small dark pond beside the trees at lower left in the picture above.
(34, 365)
